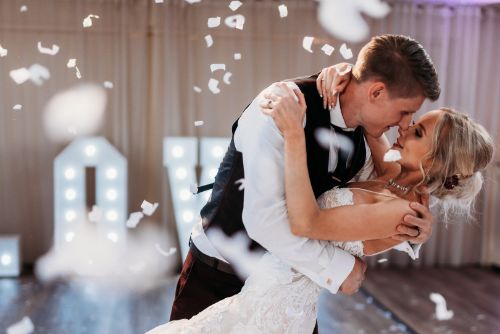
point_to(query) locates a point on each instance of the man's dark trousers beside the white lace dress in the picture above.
(200, 286)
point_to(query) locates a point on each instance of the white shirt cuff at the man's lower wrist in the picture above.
(337, 271)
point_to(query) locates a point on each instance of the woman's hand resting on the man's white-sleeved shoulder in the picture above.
(287, 110)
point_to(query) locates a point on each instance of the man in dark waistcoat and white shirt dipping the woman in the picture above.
(391, 78)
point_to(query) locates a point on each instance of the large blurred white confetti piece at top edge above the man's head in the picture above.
(344, 19)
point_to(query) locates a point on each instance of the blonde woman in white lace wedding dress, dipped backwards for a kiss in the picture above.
(442, 154)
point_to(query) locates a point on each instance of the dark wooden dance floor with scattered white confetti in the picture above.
(393, 301)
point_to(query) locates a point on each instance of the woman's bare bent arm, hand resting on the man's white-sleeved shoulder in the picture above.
(356, 222)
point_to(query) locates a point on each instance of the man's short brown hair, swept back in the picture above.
(401, 63)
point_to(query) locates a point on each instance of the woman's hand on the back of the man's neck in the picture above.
(332, 81)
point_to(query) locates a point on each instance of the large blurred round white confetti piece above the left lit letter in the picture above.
(80, 108)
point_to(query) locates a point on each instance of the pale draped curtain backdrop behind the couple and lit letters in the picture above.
(155, 53)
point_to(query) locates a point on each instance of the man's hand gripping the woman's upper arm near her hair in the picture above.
(417, 229)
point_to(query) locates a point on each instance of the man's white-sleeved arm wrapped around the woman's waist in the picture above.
(264, 211)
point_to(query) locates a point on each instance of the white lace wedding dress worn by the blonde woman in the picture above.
(275, 297)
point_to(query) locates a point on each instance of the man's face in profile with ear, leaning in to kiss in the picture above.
(383, 111)
